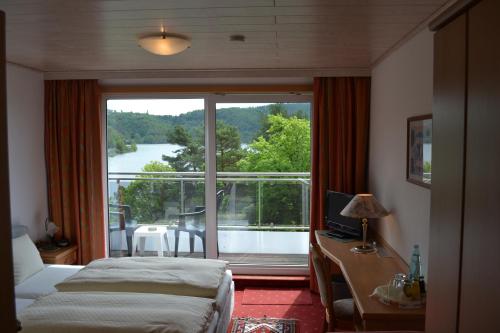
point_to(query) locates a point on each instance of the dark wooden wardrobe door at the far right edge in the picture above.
(480, 291)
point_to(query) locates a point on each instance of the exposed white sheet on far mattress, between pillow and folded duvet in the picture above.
(42, 283)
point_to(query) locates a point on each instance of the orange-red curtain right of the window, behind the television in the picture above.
(340, 129)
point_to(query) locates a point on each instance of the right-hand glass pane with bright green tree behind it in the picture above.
(263, 165)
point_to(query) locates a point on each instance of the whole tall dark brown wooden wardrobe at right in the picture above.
(464, 256)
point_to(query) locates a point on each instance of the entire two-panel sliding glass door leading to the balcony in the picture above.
(210, 176)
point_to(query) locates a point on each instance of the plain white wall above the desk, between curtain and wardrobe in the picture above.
(401, 88)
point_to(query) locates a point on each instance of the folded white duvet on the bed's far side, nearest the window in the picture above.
(163, 275)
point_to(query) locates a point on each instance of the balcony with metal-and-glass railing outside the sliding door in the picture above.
(263, 218)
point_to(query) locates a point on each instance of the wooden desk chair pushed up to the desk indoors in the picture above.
(339, 313)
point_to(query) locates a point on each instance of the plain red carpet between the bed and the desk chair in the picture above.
(309, 317)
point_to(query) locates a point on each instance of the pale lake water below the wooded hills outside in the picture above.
(135, 161)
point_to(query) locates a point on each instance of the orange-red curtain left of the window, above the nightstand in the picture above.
(73, 153)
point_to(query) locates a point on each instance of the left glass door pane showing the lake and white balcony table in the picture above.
(156, 176)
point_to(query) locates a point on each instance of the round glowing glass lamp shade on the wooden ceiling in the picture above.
(164, 43)
